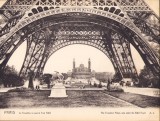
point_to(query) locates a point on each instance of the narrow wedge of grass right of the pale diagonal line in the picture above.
(137, 99)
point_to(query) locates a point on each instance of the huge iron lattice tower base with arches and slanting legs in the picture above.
(108, 25)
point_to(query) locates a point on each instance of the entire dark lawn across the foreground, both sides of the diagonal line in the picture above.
(76, 98)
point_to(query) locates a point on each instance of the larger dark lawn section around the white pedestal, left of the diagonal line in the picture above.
(40, 98)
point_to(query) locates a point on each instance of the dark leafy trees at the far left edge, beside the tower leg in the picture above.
(9, 77)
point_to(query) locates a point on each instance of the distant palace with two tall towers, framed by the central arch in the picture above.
(81, 72)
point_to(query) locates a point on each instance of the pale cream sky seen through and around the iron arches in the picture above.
(62, 59)
